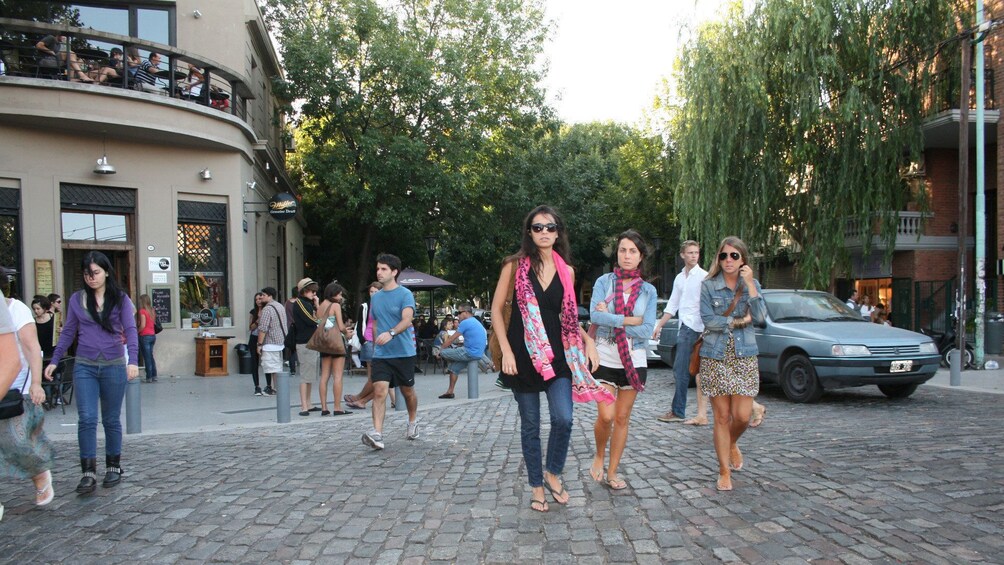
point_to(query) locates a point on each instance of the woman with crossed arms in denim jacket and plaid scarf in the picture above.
(624, 312)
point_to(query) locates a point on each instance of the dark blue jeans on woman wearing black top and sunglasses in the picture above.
(560, 405)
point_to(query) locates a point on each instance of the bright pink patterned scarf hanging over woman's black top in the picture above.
(584, 388)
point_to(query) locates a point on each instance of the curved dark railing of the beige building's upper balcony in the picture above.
(18, 46)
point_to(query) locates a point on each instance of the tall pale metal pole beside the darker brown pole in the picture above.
(981, 220)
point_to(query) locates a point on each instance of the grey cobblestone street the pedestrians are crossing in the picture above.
(855, 479)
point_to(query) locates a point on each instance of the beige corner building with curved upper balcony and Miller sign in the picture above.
(184, 215)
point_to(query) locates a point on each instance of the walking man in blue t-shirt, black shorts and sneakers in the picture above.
(394, 353)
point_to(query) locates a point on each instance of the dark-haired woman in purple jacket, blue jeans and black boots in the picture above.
(103, 321)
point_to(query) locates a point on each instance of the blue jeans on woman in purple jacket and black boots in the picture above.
(92, 384)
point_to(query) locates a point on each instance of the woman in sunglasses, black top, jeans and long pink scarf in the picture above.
(544, 349)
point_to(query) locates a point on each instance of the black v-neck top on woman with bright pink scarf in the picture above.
(528, 379)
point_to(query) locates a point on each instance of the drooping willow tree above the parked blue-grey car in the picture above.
(798, 118)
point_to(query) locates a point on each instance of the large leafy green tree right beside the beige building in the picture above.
(403, 103)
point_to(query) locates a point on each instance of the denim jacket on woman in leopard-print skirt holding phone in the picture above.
(715, 301)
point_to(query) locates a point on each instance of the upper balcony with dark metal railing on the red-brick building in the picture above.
(941, 129)
